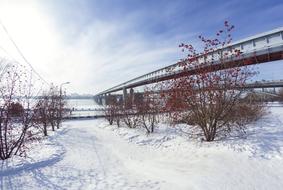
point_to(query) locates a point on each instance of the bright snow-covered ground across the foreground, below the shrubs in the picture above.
(89, 154)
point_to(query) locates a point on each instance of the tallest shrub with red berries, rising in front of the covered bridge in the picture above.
(210, 97)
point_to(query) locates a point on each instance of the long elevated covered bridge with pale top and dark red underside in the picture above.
(260, 48)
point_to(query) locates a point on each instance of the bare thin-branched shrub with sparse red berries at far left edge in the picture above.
(16, 112)
